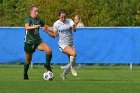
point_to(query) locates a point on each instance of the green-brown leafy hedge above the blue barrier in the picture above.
(93, 12)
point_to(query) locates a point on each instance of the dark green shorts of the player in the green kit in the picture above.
(30, 48)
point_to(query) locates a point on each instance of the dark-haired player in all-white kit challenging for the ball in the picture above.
(64, 27)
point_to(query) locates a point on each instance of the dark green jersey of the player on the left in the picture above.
(32, 36)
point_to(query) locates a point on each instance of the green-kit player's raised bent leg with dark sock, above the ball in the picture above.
(44, 47)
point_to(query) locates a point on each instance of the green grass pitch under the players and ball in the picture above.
(89, 80)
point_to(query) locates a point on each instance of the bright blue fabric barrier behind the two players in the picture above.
(93, 45)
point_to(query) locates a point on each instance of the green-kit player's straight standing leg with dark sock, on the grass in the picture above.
(26, 65)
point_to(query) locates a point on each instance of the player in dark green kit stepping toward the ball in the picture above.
(33, 41)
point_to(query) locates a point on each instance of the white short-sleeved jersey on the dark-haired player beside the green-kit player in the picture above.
(64, 32)
